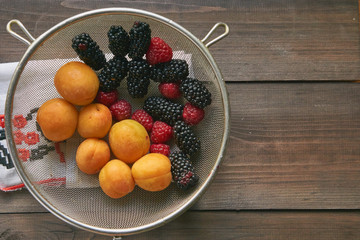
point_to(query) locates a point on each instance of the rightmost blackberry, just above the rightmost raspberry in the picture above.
(195, 92)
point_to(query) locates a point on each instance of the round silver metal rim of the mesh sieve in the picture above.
(10, 141)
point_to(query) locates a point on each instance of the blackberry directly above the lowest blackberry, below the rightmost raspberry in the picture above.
(185, 138)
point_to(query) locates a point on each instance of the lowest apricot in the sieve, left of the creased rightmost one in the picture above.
(115, 179)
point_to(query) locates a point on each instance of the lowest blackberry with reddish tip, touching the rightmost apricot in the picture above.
(182, 170)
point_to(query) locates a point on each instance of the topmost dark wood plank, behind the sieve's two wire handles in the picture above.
(269, 40)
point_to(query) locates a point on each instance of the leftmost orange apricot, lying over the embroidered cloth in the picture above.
(57, 119)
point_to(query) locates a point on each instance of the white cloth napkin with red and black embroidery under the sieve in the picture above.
(46, 163)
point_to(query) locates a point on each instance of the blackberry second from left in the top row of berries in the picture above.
(119, 41)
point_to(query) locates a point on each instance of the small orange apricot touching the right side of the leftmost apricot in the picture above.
(95, 121)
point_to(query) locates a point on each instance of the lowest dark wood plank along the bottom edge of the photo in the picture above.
(208, 225)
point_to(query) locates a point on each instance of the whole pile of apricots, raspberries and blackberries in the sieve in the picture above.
(140, 139)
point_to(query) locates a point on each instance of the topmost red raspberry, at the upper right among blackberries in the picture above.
(159, 51)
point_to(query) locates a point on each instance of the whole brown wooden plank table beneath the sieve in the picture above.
(292, 166)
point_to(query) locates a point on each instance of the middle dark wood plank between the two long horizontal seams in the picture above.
(292, 146)
